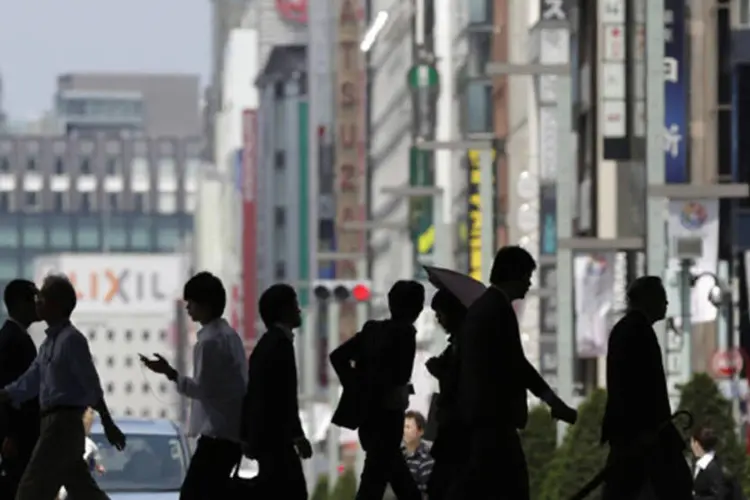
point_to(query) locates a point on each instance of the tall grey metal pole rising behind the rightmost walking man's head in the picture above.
(656, 207)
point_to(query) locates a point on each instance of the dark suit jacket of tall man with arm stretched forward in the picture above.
(493, 372)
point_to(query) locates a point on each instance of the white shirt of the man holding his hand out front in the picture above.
(218, 386)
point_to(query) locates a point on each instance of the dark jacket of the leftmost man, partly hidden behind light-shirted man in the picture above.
(17, 352)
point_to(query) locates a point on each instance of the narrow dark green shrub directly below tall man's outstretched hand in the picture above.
(539, 440)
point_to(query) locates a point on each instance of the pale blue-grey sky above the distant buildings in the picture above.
(40, 39)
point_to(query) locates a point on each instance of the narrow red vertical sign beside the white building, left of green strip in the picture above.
(249, 226)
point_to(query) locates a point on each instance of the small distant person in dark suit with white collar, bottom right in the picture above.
(711, 482)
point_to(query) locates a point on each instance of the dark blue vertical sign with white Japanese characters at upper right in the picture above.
(675, 89)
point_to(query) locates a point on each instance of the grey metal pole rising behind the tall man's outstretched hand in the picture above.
(566, 190)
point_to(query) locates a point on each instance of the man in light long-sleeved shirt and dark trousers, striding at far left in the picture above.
(66, 382)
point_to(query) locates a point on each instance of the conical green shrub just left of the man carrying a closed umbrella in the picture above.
(581, 456)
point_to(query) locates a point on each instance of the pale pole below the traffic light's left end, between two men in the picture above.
(310, 379)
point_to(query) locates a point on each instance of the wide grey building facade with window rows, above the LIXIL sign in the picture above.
(93, 195)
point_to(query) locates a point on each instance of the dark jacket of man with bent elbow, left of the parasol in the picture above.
(371, 365)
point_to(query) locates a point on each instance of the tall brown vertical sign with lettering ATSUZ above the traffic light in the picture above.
(350, 115)
